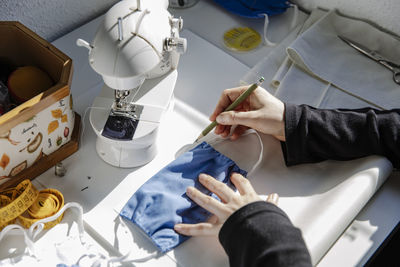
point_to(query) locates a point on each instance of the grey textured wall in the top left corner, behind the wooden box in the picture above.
(52, 18)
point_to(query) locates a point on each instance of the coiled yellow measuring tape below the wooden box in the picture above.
(29, 205)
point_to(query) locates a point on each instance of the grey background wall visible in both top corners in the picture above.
(53, 18)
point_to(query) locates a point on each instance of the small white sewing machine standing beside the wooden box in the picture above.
(136, 51)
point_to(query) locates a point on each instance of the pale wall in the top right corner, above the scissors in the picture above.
(385, 13)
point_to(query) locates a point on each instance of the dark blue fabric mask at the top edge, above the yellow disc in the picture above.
(255, 8)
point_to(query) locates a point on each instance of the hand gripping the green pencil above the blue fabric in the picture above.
(260, 111)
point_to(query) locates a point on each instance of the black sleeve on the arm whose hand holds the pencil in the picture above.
(314, 135)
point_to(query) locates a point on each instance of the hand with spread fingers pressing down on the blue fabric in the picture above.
(231, 201)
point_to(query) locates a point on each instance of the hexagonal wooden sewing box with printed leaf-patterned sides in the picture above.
(44, 130)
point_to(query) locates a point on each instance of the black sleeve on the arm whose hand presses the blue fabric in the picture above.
(261, 234)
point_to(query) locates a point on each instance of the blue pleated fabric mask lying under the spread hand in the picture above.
(162, 202)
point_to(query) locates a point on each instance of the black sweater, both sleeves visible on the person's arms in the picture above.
(260, 234)
